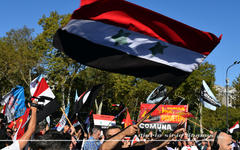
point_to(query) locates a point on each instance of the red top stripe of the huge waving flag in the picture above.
(139, 19)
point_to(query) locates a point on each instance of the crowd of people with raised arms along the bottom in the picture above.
(113, 138)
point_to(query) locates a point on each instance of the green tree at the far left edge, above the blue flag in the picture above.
(18, 59)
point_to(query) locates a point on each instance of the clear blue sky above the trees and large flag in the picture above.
(215, 16)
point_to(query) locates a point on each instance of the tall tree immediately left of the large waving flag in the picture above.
(60, 69)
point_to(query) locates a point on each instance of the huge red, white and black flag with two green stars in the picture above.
(119, 36)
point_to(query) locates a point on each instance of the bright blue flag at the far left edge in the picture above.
(14, 103)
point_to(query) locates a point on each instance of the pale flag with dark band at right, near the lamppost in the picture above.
(207, 97)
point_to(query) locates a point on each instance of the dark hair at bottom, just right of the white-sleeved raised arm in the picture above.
(46, 141)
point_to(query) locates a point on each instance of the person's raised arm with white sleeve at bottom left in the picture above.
(22, 142)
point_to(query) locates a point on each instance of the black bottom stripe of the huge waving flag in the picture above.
(110, 59)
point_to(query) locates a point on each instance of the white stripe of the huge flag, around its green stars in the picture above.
(136, 44)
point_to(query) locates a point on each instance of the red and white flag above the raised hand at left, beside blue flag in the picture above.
(39, 87)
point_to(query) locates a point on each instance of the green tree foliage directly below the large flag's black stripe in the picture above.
(117, 89)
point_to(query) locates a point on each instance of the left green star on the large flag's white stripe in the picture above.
(120, 38)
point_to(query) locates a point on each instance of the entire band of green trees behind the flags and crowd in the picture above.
(23, 57)
